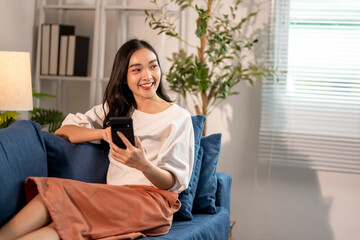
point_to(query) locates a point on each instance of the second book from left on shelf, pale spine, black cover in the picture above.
(56, 31)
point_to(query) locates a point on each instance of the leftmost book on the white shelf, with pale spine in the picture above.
(45, 49)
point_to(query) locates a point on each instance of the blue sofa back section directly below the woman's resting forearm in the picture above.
(83, 161)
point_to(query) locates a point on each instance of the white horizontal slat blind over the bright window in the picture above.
(311, 116)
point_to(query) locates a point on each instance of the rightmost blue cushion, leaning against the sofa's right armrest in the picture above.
(206, 191)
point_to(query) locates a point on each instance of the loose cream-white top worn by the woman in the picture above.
(167, 138)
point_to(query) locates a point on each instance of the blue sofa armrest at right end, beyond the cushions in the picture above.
(223, 190)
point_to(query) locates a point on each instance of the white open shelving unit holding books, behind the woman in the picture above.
(97, 78)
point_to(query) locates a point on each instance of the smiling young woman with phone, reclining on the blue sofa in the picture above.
(143, 181)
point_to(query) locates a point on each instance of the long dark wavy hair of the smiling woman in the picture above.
(118, 95)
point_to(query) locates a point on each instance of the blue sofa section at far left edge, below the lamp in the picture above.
(22, 154)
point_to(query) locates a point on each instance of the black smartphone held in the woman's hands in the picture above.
(124, 125)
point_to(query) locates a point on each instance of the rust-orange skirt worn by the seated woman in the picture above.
(98, 211)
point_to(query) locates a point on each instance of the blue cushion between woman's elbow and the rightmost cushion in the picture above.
(187, 196)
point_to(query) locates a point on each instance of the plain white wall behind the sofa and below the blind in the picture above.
(268, 203)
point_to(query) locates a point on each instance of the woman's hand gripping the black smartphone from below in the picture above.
(131, 156)
